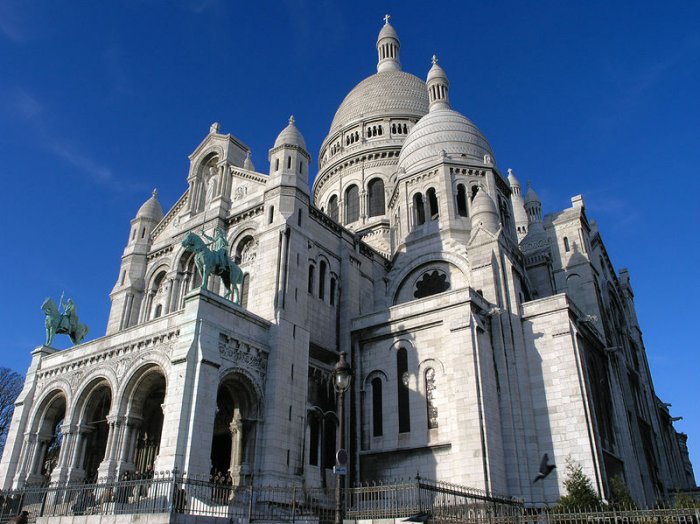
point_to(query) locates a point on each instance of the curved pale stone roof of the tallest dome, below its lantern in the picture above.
(384, 93)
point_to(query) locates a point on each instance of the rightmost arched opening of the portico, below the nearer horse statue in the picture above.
(233, 441)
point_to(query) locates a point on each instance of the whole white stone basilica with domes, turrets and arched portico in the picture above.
(480, 333)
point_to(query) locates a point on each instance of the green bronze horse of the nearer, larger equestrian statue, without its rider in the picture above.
(217, 263)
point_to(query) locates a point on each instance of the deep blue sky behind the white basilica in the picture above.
(101, 102)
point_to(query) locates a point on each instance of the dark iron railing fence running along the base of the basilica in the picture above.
(419, 499)
